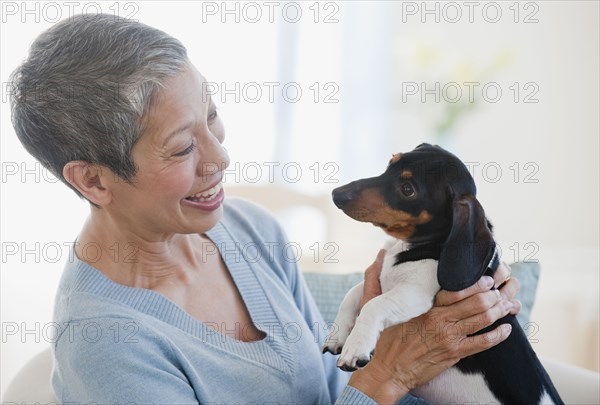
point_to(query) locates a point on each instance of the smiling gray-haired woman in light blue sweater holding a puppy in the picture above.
(159, 303)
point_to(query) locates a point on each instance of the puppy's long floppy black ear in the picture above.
(469, 248)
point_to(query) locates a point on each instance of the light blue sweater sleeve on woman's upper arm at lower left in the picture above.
(117, 360)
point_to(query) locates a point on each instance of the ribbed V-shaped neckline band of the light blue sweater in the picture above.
(272, 350)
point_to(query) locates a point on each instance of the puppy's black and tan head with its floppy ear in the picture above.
(427, 196)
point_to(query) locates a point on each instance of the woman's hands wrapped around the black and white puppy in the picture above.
(411, 354)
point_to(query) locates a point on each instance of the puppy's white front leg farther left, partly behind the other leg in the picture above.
(344, 321)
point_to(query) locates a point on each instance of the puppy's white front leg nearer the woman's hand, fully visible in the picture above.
(400, 304)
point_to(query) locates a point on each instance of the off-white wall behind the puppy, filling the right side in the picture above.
(556, 141)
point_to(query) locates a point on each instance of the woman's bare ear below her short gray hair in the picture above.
(90, 180)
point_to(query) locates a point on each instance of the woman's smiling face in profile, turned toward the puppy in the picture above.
(180, 163)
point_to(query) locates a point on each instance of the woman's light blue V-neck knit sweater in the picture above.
(131, 345)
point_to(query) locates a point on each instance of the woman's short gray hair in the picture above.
(84, 88)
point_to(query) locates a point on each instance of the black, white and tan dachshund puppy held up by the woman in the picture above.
(426, 200)
